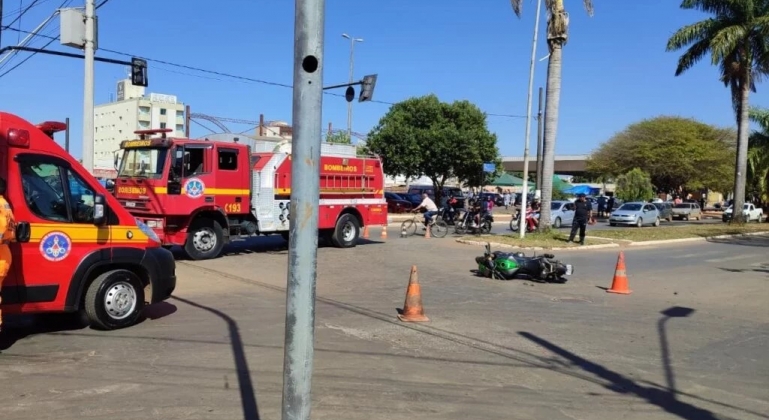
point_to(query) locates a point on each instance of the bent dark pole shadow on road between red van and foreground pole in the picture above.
(247, 391)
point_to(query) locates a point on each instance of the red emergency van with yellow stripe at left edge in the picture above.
(76, 247)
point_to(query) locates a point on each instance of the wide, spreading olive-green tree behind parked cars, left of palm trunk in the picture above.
(680, 154)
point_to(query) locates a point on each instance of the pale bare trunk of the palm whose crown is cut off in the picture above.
(551, 128)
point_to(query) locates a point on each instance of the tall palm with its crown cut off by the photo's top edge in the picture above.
(557, 35)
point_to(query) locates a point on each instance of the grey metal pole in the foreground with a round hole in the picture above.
(298, 356)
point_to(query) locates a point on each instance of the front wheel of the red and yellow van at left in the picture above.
(114, 300)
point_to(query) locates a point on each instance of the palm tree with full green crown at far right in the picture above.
(736, 38)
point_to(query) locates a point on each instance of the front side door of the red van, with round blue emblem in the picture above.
(58, 205)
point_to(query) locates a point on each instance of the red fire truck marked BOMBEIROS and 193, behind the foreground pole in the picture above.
(202, 194)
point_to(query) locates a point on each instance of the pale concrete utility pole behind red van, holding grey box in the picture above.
(89, 51)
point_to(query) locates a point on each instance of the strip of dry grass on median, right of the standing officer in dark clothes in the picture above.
(664, 233)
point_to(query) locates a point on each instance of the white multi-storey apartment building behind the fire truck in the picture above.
(133, 110)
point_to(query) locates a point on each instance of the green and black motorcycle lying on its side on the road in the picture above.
(509, 265)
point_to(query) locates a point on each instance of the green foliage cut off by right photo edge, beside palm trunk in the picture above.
(758, 154)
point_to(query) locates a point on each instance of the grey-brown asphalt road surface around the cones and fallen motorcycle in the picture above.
(688, 343)
